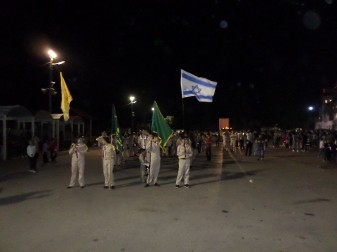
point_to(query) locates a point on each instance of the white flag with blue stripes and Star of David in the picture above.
(201, 88)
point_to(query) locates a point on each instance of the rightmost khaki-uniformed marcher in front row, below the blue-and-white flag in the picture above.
(184, 153)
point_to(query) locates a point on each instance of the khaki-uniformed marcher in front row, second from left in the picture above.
(108, 159)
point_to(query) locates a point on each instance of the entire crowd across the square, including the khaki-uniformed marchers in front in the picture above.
(183, 145)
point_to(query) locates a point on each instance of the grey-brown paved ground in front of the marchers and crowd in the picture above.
(286, 202)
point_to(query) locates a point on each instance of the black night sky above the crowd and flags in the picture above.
(271, 59)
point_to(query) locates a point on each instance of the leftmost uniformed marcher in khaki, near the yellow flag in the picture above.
(77, 151)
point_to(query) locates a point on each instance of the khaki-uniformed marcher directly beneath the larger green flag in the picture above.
(153, 148)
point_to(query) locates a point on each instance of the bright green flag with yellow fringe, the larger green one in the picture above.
(160, 126)
